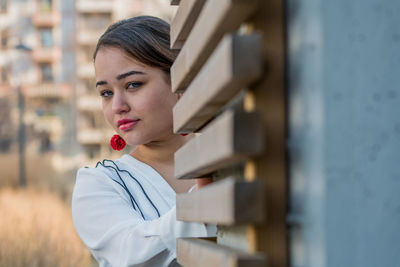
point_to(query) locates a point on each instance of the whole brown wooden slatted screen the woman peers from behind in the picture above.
(232, 51)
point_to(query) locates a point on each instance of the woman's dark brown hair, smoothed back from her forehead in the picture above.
(145, 38)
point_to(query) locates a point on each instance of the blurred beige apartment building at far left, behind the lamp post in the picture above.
(31, 66)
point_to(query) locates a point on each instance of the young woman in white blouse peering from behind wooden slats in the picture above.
(124, 210)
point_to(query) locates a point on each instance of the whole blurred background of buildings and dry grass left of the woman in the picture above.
(51, 121)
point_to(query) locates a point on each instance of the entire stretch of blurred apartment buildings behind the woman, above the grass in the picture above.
(62, 111)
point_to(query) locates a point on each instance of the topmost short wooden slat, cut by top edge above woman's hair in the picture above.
(184, 20)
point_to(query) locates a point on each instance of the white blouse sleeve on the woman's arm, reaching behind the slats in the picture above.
(115, 232)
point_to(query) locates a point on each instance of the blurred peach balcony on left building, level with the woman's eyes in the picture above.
(47, 90)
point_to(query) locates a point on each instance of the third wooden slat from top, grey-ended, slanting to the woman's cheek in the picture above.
(236, 62)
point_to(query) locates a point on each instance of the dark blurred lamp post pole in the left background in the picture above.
(21, 138)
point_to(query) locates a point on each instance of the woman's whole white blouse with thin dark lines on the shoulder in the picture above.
(124, 211)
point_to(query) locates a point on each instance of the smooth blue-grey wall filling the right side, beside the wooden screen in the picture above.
(344, 132)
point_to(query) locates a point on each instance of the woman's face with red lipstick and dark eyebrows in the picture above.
(137, 99)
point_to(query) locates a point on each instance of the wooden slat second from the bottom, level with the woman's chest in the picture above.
(225, 202)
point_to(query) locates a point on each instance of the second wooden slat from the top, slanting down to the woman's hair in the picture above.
(217, 18)
